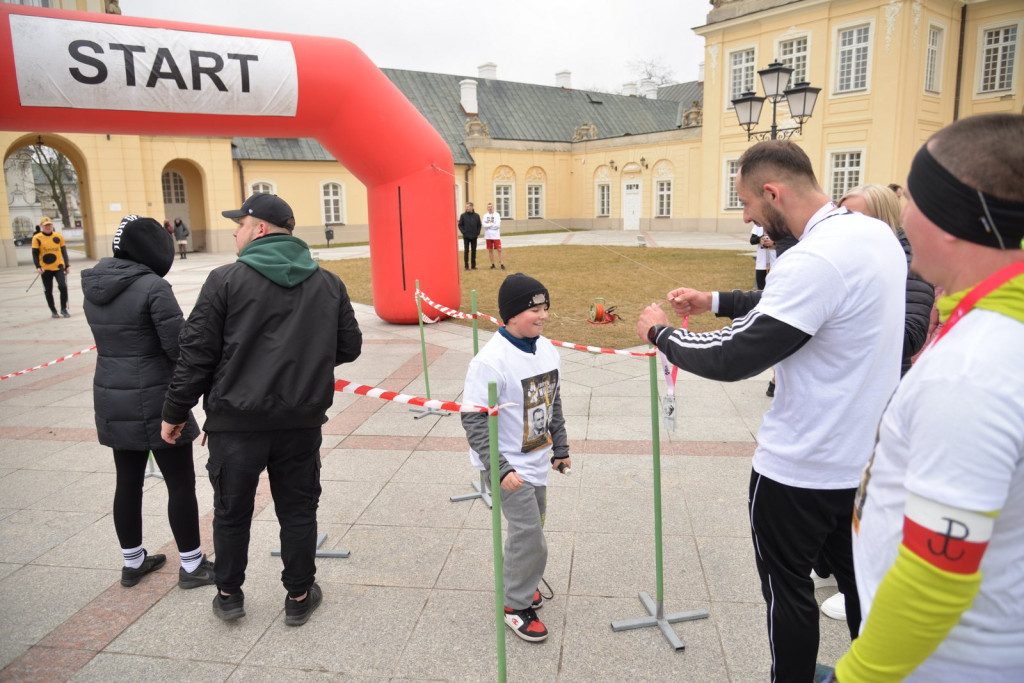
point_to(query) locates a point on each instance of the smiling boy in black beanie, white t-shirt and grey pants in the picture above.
(527, 369)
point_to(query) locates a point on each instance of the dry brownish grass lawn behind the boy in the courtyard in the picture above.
(626, 278)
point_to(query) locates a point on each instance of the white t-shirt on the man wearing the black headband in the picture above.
(955, 434)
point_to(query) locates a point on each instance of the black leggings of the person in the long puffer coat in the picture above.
(183, 511)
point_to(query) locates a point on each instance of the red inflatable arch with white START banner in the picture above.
(88, 73)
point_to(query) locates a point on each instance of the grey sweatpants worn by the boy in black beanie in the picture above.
(526, 548)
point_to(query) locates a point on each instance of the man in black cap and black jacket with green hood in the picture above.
(261, 348)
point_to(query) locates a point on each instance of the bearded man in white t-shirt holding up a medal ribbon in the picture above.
(831, 320)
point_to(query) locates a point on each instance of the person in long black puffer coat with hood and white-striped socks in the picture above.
(136, 322)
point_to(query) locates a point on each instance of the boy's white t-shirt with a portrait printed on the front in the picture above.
(531, 383)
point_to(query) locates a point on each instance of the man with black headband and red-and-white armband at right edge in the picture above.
(940, 519)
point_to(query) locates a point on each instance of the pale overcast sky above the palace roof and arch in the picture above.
(530, 40)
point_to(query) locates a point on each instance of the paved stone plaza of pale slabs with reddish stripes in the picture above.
(415, 601)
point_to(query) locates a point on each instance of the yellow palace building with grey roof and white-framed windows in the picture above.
(551, 157)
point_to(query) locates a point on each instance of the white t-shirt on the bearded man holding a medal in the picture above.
(844, 285)
